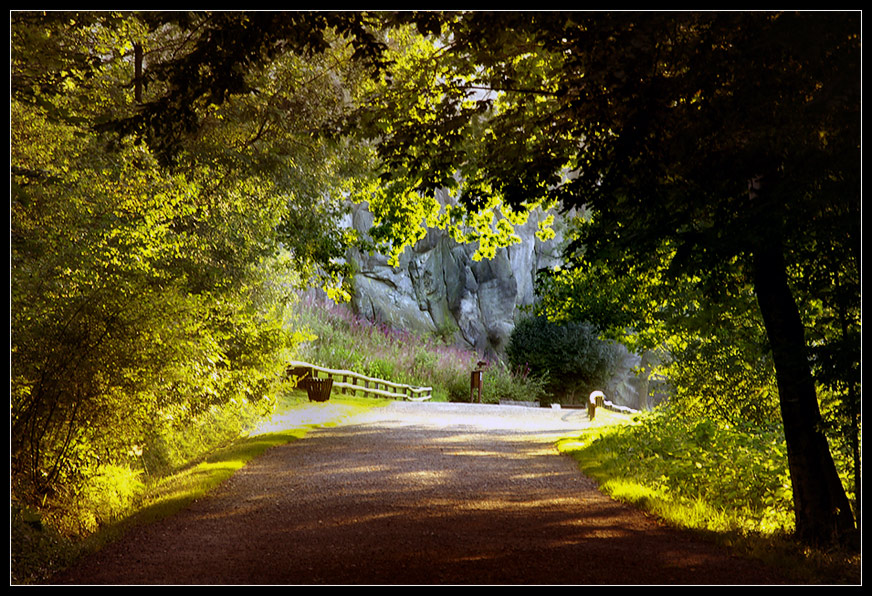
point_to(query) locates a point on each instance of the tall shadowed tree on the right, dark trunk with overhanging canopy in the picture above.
(709, 137)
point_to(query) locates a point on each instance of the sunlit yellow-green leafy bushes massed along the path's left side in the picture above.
(123, 307)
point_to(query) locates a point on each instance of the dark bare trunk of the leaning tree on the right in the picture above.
(822, 510)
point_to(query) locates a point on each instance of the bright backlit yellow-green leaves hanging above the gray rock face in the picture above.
(428, 110)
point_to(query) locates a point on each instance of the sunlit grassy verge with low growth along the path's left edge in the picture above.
(125, 496)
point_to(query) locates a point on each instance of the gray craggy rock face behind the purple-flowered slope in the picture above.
(439, 288)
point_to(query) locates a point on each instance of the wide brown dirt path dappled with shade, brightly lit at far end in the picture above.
(416, 494)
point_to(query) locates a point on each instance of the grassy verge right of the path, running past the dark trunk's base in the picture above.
(725, 484)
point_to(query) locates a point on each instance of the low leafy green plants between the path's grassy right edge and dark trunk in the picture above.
(739, 474)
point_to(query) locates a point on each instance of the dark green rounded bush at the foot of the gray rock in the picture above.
(571, 355)
